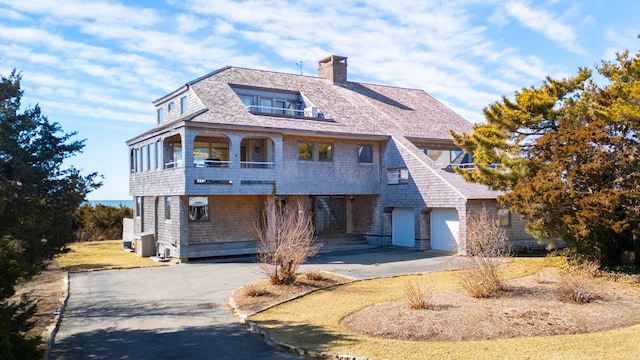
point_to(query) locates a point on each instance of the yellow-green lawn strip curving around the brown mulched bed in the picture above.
(313, 323)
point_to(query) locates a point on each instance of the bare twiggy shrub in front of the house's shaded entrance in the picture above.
(285, 240)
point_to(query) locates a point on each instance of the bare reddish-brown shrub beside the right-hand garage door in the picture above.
(486, 242)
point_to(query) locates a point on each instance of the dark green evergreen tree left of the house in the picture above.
(38, 198)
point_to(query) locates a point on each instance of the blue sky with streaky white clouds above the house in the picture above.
(96, 66)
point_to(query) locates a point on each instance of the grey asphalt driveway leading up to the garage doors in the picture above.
(180, 311)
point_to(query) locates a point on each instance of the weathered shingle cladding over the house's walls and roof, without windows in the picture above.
(355, 114)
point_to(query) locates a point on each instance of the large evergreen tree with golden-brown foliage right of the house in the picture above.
(567, 155)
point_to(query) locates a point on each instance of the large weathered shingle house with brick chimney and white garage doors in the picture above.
(374, 162)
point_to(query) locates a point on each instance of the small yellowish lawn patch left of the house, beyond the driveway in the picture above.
(99, 255)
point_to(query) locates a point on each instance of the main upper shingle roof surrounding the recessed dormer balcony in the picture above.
(353, 107)
